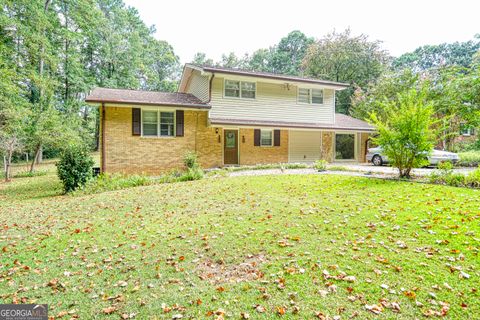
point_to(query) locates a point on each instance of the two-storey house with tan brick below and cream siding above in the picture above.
(228, 117)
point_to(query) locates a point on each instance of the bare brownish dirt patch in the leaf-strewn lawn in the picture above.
(217, 272)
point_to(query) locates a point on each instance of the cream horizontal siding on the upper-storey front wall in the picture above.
(273, 102)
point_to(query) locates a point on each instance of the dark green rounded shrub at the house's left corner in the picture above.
(74, 167)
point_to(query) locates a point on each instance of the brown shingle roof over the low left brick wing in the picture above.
(140, 97)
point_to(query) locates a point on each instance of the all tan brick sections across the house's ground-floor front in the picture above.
(130, 154)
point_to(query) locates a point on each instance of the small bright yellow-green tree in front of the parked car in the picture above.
(406, 135)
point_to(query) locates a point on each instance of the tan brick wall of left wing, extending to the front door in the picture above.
(151, 155)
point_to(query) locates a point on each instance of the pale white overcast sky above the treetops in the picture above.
(215, 26)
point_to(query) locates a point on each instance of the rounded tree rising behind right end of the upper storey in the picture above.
(342, 57)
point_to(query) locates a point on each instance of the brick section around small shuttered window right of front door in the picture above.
(251, 155)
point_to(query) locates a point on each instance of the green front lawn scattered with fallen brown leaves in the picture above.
(300, 245)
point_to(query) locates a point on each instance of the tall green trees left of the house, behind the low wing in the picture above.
(54, 51)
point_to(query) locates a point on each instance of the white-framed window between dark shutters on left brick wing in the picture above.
(158, 123)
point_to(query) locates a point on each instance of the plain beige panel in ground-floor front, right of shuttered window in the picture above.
(304, 146)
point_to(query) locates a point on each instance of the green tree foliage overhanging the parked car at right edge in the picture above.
(450, 90)
